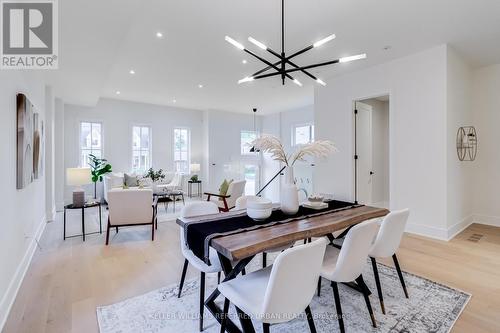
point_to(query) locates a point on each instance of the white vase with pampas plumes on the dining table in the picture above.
(267, 143)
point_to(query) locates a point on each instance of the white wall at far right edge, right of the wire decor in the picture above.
(486, 105)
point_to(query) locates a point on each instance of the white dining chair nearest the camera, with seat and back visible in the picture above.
(278, 293)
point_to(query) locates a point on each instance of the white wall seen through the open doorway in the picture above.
(380, 150)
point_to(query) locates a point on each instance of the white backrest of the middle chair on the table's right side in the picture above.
(354, 253)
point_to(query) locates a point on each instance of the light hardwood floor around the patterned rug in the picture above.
(67, 280)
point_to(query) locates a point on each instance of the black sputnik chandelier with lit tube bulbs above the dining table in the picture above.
(280, 66)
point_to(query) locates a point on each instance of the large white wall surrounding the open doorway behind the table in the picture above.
(417, 88)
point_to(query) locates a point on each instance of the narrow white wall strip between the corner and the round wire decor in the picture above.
(459, 174)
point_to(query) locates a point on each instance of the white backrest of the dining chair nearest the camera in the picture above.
(292, 282)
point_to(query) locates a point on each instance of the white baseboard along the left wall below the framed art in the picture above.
(16, 281)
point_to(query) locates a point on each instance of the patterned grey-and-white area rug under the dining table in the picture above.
(432, 307)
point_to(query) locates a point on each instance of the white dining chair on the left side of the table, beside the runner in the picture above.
(192, 210)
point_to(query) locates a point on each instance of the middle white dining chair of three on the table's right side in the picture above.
(346, 265)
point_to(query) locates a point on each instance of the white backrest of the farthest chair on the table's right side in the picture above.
(390, 234)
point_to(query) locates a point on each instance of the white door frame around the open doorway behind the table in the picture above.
(355, 148)
